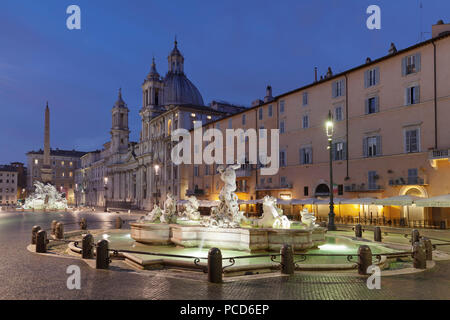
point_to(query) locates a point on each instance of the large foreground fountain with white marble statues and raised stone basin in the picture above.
(226, 227)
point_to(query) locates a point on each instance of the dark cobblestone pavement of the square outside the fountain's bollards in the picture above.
(25, 275)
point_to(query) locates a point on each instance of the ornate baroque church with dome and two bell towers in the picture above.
(127, 174)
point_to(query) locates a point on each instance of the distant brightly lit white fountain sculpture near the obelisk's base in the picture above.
(45, 197)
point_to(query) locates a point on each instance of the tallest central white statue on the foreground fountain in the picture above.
(227, 214)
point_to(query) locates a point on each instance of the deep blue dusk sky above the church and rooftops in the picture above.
(232, 50)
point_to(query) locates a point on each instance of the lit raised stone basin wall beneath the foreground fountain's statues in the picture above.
(244, 239)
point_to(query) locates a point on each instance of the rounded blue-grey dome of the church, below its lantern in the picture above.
(178, 89)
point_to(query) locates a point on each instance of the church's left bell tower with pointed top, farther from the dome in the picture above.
(119, 129)
